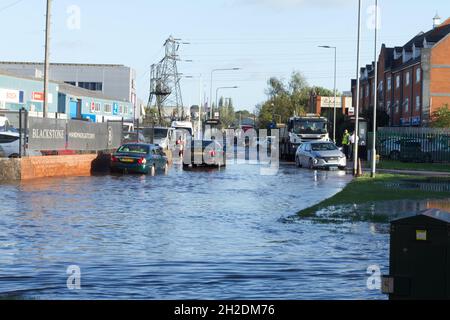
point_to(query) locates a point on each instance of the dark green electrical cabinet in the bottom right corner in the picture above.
(419, 257)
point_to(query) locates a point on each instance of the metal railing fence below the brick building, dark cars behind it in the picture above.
(414, 144)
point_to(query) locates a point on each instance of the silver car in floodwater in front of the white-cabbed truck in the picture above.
(323, 155)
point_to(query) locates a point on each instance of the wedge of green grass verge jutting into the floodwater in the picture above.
(366, 190)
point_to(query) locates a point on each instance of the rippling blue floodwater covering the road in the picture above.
(191, 234)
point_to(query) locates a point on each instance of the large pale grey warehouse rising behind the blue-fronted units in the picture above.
(115, 81)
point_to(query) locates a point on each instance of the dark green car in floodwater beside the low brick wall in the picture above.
(139, 158)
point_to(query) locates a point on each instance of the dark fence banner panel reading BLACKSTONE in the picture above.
(47, 134)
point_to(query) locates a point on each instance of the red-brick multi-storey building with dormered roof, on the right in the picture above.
(413, 80)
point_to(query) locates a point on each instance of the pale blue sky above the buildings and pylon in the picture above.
(263, 37)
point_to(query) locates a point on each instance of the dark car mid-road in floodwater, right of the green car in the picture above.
(204, 153)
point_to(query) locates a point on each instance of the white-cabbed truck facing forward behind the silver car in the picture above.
(299, 130)
